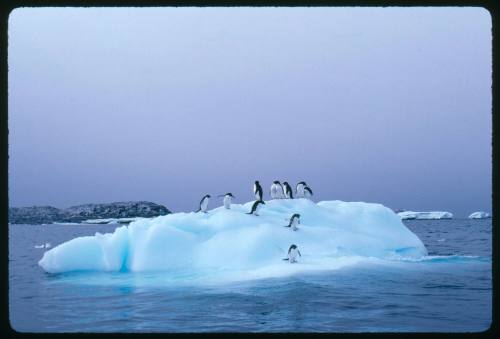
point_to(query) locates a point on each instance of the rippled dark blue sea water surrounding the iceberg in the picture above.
(448, 292)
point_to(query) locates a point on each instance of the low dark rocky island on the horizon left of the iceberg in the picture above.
(81, 213)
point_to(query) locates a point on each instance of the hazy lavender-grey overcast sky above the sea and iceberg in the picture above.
(385, 105)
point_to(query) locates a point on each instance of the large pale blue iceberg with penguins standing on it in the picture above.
(230, 239)
